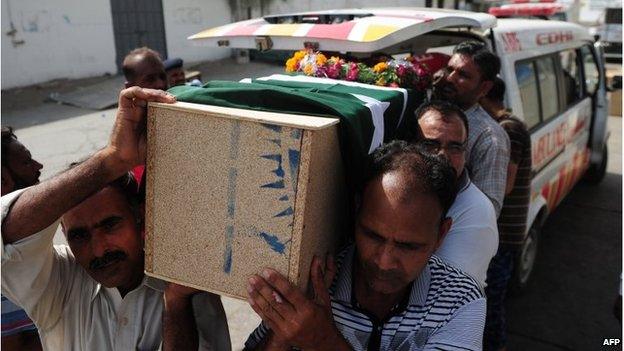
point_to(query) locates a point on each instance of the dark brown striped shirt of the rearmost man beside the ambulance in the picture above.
(512, 221)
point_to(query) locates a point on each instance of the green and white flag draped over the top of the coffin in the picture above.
(369, 115)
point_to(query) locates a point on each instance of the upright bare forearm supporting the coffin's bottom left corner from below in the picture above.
(179, 327)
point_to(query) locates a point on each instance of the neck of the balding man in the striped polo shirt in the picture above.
(380, 305)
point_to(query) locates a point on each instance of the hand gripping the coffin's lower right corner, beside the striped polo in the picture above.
(295, 319)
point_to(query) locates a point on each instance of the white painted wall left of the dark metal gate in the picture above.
(61, 39)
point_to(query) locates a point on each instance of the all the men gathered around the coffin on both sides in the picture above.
(437, 229)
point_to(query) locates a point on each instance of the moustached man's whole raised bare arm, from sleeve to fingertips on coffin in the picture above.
(39, 206)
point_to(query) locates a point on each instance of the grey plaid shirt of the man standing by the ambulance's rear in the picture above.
(487, 155)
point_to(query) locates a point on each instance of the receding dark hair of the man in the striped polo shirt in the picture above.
(429, 175)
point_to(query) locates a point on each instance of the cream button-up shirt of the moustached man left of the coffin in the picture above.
(74, 312)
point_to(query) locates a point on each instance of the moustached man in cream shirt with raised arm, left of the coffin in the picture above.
(93, 295)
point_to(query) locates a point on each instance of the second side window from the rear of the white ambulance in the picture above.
(549, 94)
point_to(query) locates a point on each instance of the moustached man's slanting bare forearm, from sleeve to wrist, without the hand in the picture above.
(39, 206)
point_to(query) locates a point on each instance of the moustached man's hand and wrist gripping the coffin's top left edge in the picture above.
(127, 143)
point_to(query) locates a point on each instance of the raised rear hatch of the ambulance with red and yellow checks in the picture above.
(352, 30)
